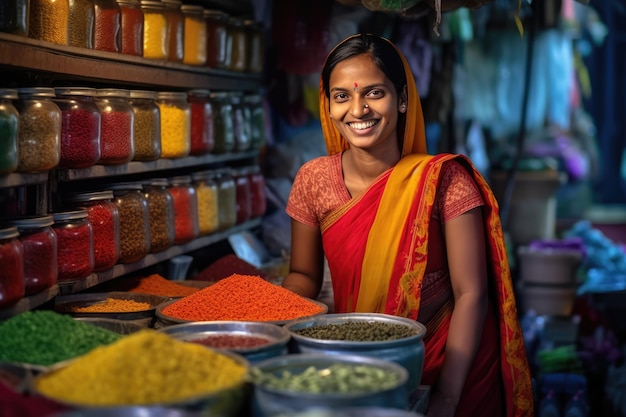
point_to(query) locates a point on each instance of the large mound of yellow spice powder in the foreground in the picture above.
(117, 374)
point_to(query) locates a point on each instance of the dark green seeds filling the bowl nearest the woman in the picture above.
(358, 331)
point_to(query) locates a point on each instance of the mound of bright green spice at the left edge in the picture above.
(44, 337)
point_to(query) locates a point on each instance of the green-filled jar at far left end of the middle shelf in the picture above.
(9, 122)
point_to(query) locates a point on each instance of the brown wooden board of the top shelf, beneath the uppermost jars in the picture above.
(20, 53)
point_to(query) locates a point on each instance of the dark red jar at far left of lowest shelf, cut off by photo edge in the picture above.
(12, 287)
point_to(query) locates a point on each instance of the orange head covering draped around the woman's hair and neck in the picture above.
(414, 135)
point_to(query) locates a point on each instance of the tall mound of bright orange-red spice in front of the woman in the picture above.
(242, 298)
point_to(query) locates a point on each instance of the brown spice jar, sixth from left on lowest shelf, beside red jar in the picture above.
(161, 214)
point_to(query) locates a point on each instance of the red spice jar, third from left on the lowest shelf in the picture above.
(75, 259)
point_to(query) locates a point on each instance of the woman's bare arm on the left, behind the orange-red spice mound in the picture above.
(306, 269)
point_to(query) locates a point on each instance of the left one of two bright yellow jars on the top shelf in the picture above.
(155, 41)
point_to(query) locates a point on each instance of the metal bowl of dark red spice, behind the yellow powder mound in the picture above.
(277, 337)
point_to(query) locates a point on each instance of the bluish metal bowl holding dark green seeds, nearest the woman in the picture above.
(408, 352)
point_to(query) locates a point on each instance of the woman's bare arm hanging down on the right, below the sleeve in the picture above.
(465, 245)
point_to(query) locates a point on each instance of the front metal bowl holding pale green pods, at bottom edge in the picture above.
(269, 401)
